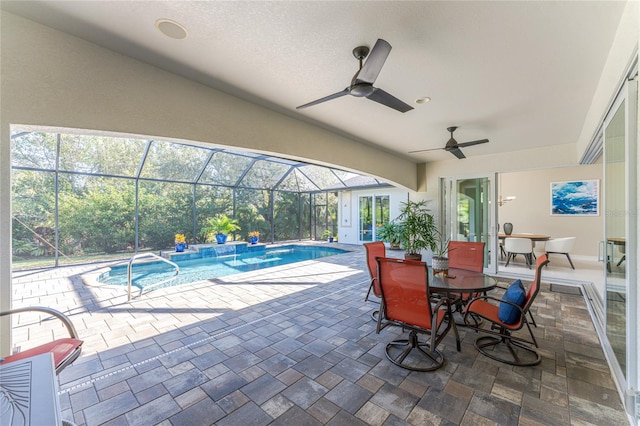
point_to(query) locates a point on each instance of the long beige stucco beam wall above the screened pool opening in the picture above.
(50, 78)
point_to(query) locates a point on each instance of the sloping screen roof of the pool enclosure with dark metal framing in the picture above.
(175, 162)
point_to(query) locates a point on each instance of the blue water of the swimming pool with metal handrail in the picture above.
(192, 270)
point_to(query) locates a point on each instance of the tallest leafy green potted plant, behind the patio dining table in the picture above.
(419, 229)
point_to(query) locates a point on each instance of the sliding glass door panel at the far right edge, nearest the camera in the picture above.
(620, 232)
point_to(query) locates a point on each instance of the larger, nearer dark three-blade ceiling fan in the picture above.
(362, 82)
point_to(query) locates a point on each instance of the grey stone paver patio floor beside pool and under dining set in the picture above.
(296, 345)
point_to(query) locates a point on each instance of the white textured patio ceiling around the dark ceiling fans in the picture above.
(521, 74)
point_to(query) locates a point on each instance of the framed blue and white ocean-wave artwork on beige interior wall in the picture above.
(575, 198)
